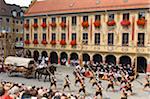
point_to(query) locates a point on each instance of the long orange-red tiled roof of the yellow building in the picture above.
(41, 7)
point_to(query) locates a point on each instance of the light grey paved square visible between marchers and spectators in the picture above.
(62, 71)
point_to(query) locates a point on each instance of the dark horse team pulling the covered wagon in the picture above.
(46, 71)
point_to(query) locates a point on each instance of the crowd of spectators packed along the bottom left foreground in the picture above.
(9, 90)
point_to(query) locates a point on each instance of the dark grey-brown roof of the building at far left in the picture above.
(6, 9)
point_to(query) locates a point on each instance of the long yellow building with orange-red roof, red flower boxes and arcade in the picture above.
(111, 31)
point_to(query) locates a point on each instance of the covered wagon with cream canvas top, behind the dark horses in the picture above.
(25, 66)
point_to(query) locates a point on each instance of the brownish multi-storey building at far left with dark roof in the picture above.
(11, 28)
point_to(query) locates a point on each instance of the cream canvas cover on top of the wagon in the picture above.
(18, 61)
